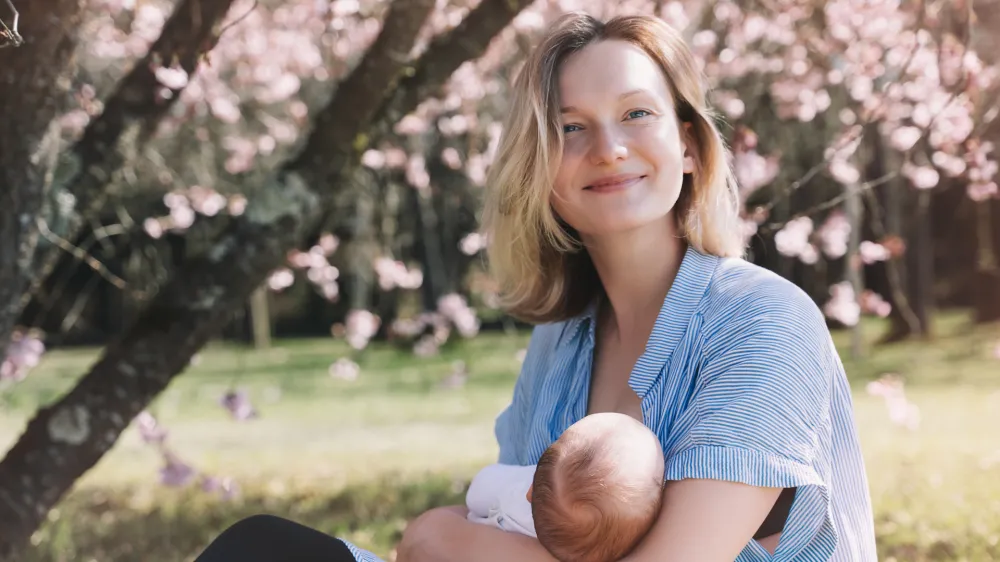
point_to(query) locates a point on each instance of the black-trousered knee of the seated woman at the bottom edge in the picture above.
(266, 538)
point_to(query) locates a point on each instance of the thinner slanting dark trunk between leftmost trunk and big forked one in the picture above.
(130, 114)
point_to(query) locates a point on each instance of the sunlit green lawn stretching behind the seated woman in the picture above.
(358, 459)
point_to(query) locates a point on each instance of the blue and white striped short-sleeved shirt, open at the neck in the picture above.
(741, 382)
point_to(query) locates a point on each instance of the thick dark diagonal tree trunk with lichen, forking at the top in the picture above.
(66, 439)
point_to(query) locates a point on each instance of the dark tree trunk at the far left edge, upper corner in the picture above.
(32, 81)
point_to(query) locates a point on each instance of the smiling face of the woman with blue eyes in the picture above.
(623, 158)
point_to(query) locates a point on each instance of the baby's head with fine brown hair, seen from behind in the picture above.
(597, 489)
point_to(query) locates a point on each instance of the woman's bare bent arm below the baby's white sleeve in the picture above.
(445, 535)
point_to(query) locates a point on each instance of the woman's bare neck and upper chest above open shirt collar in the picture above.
(637, 268)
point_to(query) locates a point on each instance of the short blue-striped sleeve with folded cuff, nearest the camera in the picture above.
(761, 410)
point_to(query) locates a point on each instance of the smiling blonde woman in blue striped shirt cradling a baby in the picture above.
(613, 219)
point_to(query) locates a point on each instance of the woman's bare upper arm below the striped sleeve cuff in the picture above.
(705, 521)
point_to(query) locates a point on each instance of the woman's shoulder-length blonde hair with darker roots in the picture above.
(543, 273)
